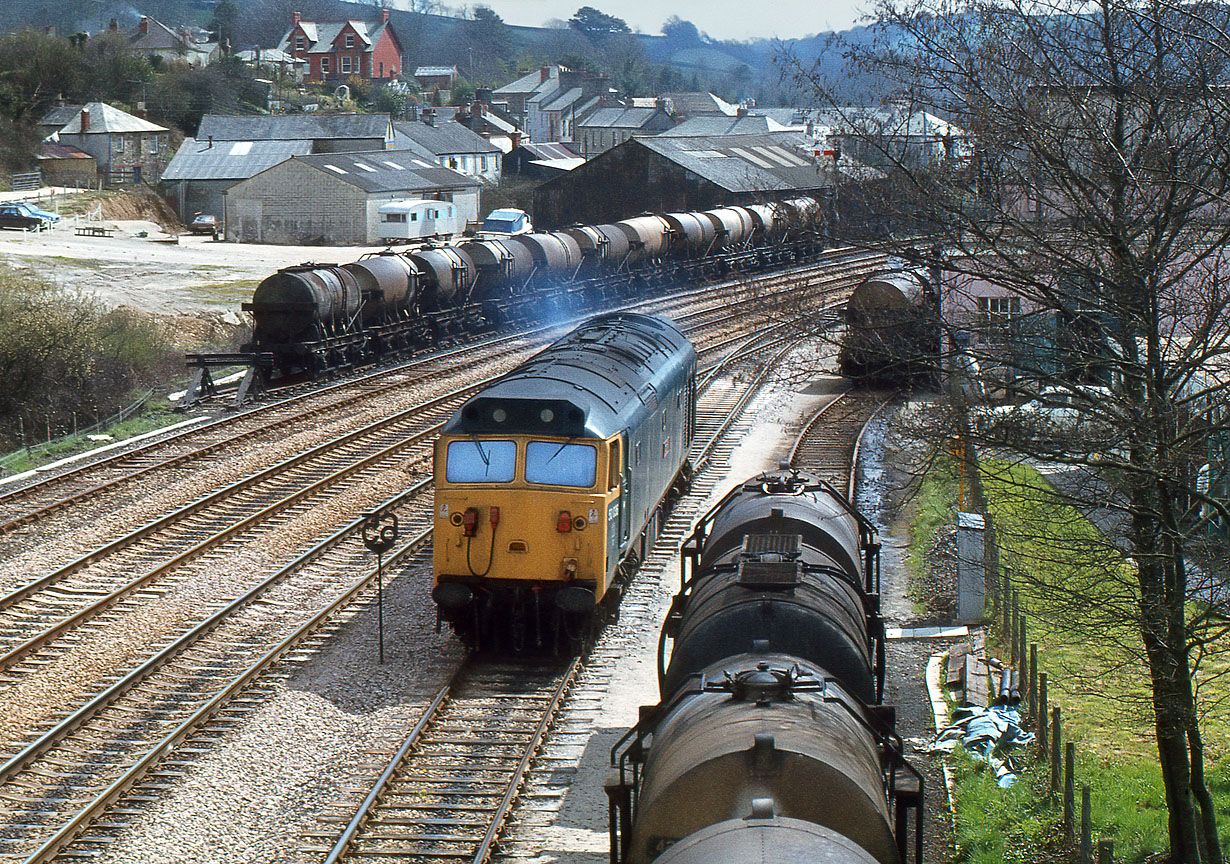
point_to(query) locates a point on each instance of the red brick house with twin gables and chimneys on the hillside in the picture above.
(340, 50)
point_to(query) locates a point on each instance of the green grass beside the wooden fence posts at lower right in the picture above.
(1089, 646)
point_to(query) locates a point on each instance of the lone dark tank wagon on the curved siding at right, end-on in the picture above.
(892, 328)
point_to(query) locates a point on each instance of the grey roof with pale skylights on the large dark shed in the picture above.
(777, 162)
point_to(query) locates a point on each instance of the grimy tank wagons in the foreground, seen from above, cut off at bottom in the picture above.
(769, 744)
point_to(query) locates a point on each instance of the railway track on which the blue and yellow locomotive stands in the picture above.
(447, 792)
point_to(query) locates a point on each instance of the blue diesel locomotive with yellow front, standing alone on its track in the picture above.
(552, 484)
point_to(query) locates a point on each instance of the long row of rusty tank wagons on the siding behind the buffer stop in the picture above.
(317, 317)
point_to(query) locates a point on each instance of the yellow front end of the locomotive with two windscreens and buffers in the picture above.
(523, 530)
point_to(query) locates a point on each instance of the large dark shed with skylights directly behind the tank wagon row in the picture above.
(681, 174)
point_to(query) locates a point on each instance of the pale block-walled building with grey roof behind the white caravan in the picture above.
(335, 199)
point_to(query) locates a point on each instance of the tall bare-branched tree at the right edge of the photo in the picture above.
(1073, 157)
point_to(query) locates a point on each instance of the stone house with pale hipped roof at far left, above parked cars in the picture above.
(127, 150)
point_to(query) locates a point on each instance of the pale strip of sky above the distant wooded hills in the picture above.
(720, 19)
